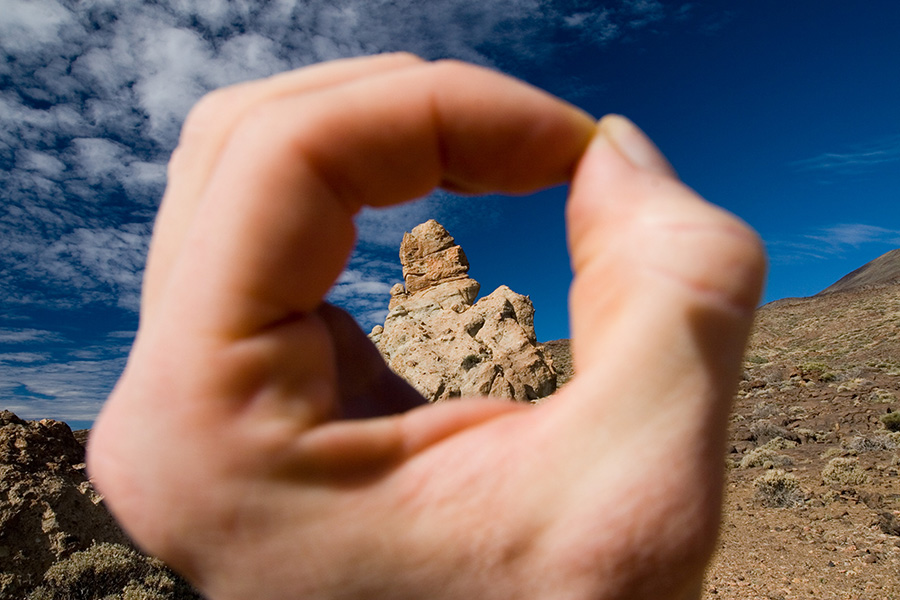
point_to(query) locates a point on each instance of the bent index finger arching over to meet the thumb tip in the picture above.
(274, 226)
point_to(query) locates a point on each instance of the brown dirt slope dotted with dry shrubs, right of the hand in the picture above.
(820, 374)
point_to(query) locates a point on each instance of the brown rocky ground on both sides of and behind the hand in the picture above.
(813, 492)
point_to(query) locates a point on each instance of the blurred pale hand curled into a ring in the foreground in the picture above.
(226, 447)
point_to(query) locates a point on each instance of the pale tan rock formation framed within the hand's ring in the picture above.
(447, 345)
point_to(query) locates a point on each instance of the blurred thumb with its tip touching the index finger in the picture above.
(665, 284)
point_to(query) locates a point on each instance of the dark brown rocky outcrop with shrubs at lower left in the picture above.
(57, 539)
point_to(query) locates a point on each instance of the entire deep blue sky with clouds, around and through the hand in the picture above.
(786, 113)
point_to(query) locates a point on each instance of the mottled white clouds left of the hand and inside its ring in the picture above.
(94, 94)
